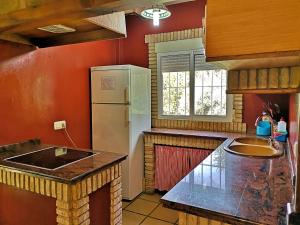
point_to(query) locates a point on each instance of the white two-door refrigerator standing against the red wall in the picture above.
(121, 111)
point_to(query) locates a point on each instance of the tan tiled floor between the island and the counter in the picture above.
(147, 210)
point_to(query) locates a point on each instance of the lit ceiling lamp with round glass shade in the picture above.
(156, 13)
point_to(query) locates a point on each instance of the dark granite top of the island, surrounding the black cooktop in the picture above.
(70, 173)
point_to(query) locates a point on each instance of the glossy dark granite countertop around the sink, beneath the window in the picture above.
(233, 188)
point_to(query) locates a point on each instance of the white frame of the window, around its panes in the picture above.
(192, 116)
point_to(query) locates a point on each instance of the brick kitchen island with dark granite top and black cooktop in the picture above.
(86, 191)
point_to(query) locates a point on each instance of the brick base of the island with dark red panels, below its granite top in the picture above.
(67, 204)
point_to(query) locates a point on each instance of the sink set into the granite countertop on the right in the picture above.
(253, 147)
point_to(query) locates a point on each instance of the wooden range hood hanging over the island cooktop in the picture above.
(20, 19)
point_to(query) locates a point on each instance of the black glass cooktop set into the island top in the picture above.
(50, 158)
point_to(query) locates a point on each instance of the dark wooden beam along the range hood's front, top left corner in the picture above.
(50, 9)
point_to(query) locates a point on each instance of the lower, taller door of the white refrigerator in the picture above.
(111, 132)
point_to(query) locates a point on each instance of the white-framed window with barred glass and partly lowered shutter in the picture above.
(190, 88)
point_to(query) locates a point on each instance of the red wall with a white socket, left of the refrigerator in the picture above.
(46, 85)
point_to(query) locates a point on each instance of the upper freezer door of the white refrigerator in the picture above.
(110, 86)
